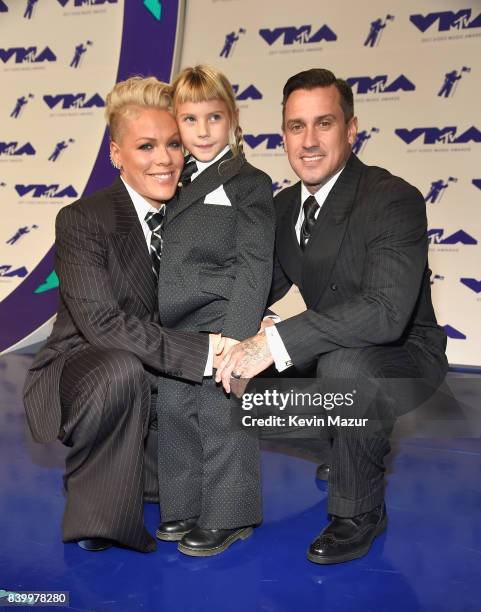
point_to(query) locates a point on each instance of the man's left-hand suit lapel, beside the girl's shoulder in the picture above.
(287, 246)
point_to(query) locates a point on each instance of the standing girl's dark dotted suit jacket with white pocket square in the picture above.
(216, 265)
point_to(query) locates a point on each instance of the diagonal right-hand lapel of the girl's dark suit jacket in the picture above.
(207, 181)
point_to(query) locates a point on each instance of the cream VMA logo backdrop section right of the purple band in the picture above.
(415, 69)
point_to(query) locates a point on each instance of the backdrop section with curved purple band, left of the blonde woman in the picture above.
(58, 60)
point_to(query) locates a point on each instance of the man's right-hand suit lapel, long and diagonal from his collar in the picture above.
(326, 239)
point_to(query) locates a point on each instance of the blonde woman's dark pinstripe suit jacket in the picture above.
(108, 299)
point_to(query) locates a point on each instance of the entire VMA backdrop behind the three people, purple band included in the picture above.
(414, 66)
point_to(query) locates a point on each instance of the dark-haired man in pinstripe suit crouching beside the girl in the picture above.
(353, 239)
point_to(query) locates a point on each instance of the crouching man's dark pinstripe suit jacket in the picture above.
(364, 274)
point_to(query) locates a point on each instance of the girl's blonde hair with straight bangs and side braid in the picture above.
(204, 83)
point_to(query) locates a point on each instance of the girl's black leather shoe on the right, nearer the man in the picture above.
(207, 542)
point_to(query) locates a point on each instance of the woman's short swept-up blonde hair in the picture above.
(137, 91)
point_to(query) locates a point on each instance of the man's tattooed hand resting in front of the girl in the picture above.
(245, 360)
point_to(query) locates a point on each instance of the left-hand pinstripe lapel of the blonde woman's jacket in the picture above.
(130, 247)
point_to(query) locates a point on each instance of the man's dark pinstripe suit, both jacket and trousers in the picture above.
(365, 280)
